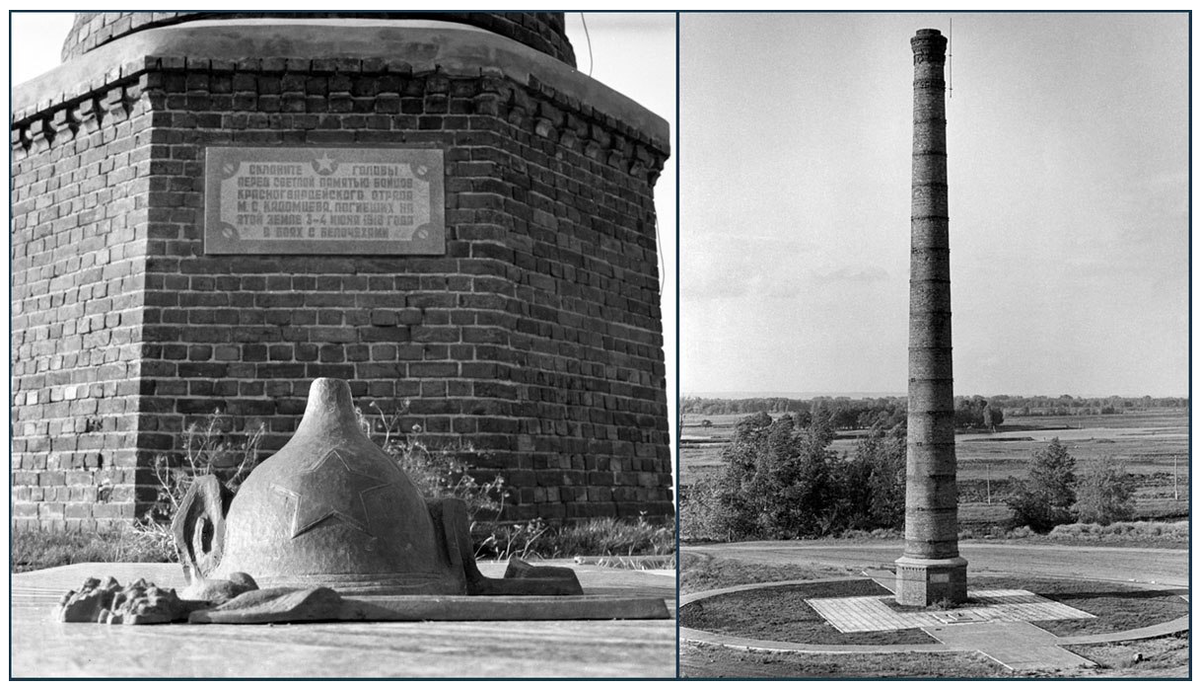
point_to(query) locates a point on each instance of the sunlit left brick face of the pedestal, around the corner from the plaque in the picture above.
(80, 220)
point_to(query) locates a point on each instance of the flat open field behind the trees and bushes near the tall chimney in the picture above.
(1153, 446)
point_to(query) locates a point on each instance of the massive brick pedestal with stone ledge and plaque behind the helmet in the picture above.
(213, 210)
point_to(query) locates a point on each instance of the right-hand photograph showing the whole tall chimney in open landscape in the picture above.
(866, 490)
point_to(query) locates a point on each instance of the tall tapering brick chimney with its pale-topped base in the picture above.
(931, 569)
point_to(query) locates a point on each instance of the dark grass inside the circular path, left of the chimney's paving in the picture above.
(779, 613)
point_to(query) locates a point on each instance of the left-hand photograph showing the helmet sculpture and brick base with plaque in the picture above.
(343, 345)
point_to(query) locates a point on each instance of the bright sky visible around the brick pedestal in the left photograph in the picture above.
(633, 53)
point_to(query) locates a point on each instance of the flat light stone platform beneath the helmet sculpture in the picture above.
(44, 648)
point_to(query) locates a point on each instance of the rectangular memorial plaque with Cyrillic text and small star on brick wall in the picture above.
(325, 201)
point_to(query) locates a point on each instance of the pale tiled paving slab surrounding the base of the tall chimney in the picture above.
(871, 613)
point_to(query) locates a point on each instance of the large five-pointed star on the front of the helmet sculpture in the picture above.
(331, 489)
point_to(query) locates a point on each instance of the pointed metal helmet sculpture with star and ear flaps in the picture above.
(331, 509)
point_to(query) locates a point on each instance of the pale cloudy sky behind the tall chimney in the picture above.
(1069, 194)
